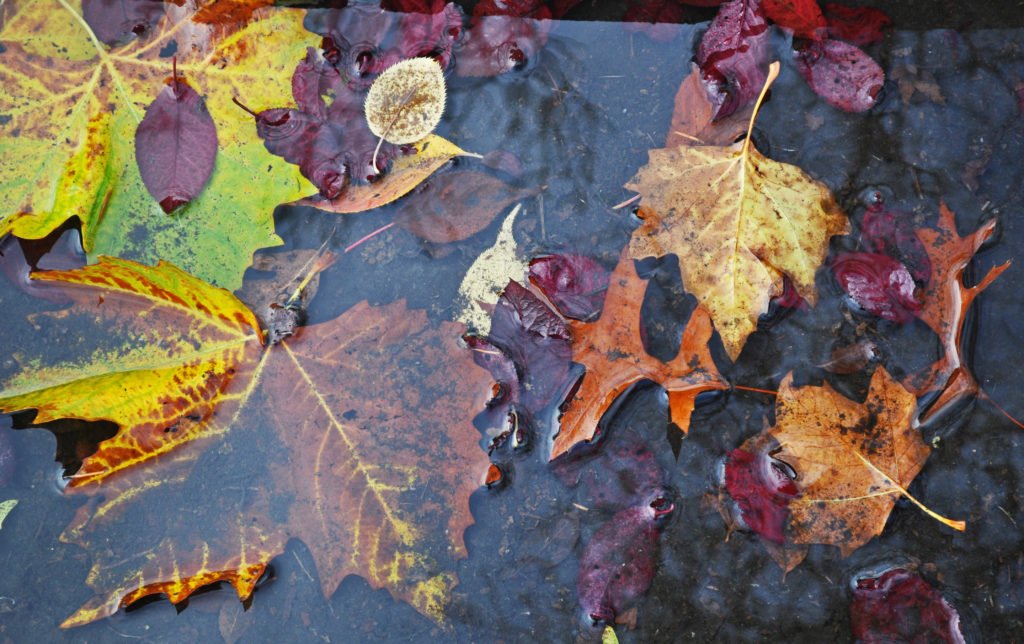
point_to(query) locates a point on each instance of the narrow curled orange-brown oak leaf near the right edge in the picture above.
(946, 305)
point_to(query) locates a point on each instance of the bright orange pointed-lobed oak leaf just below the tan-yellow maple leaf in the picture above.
(615, 358)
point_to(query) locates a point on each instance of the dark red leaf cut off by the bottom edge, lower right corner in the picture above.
(900, 607)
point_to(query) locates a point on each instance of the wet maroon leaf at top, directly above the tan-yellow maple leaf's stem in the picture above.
(734, 56)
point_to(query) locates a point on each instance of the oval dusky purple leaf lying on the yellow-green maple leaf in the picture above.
(176, 146)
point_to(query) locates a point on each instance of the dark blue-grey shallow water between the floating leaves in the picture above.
(581, 117)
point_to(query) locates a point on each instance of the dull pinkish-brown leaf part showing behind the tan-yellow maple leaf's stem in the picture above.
(694, 117)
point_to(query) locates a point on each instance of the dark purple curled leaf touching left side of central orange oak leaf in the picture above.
(537, 341)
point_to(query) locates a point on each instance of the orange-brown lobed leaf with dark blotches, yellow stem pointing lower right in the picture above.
(852, 461)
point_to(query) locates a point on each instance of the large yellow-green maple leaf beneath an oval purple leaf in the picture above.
(69, 111)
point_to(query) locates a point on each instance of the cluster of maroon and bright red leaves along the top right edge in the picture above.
(734, 53)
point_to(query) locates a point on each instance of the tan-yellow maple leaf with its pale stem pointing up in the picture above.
(739, 223)
